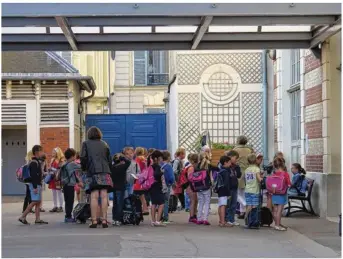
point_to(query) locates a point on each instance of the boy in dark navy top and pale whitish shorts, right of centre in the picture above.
(224, 189)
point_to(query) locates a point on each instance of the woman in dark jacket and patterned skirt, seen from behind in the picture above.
(96, 161)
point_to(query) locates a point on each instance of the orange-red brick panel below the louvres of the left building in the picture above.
(51, 138)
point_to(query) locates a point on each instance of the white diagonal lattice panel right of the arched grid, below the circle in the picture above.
(252, 119)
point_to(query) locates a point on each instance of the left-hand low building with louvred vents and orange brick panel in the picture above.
(41, 104)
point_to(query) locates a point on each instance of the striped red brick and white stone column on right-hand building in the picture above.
(313, 113)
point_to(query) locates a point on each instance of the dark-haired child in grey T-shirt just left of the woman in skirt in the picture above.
(68, 189)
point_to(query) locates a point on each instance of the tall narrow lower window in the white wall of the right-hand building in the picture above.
(295, 126)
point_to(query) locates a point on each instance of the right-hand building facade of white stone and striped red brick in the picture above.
(307, 118)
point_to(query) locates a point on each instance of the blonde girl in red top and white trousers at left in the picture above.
(56, 162)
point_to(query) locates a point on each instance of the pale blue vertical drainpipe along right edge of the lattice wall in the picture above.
(265, 106)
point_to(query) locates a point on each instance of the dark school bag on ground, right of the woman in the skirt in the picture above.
(132, 211)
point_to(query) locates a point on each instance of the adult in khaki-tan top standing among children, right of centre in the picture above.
(244, 151)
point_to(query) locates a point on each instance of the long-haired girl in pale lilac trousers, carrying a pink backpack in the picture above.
(204, 196)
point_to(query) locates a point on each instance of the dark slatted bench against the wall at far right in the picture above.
(303, 199)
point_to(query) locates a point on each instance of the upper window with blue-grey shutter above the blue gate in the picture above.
(151, 67)
